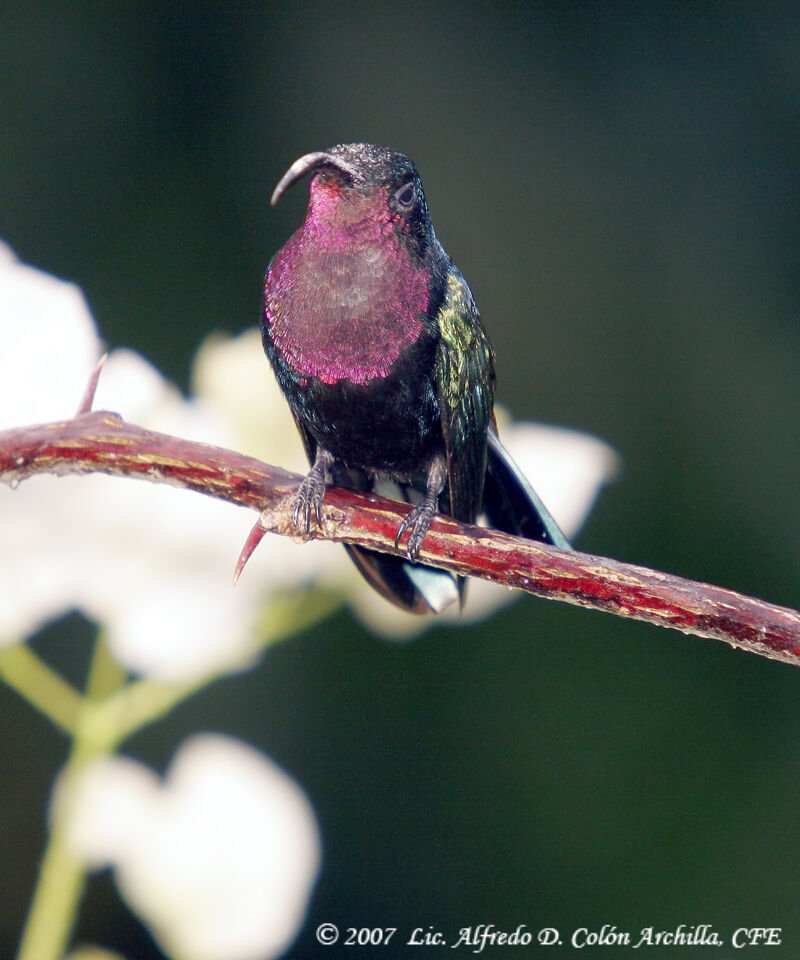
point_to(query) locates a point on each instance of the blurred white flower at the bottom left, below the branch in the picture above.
(218, 860)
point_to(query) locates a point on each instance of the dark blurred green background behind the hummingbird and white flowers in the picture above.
(619, 183)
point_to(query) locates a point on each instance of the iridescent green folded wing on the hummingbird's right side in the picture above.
(465, 373)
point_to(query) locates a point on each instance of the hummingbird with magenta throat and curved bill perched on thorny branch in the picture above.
(379, 349)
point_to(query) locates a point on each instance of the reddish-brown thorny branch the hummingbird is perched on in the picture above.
(102, 442)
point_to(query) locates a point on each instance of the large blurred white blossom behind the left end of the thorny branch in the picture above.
(153, 564)
